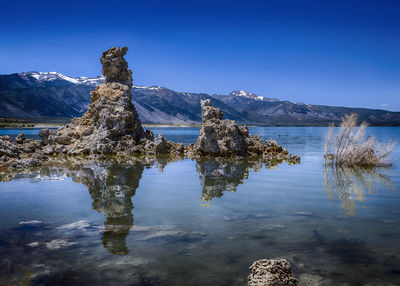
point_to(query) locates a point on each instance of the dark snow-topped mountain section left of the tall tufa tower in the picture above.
(44, 94)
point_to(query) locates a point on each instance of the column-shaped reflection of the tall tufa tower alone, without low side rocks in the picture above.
(111, 188)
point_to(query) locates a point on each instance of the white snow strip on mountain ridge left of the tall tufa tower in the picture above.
(53, 76)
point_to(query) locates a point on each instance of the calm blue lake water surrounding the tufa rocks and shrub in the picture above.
(202, 222)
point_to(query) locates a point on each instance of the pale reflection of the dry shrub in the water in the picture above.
(351, 185)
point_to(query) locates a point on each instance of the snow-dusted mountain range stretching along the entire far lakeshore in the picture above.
(38, 95)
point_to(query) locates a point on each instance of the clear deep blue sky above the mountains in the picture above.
(334, 52)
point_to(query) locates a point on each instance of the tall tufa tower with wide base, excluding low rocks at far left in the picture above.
(111, 123)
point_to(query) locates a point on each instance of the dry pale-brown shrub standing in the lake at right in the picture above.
(350, 146)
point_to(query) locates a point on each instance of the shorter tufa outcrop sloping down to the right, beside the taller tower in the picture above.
(225, 138)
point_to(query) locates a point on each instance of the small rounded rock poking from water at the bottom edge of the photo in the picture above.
(273, 272)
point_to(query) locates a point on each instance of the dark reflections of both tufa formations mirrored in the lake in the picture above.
(112, 183)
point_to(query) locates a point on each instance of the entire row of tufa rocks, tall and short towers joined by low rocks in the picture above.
(111, 126)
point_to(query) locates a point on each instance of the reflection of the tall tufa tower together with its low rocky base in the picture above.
(111, 184)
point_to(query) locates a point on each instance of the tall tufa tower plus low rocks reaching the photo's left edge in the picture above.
(111, 124)
